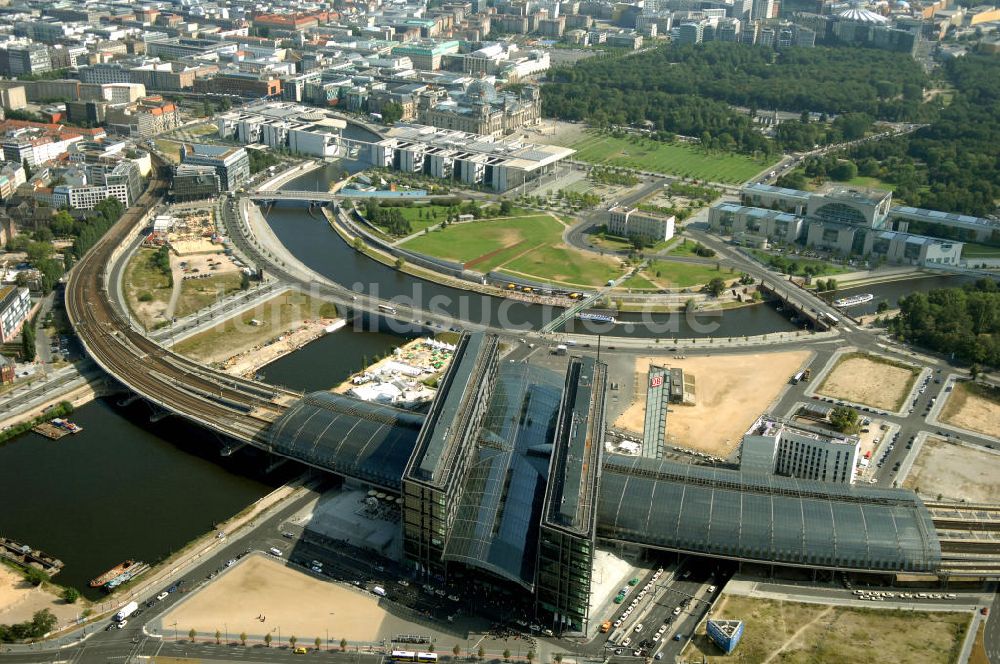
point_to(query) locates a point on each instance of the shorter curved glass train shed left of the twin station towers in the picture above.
(358, 439)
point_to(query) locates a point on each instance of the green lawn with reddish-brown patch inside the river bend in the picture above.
(530, 246)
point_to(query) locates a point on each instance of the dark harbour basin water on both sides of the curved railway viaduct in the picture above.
(128, 488)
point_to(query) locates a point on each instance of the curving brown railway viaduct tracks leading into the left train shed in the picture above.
(232, 406)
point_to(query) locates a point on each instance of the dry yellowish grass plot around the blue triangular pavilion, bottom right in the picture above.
(794, 633)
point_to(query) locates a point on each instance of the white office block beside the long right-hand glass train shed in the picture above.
(800, 451)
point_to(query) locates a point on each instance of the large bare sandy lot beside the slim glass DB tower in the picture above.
(732, 392)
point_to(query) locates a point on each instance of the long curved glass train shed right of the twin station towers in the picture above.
(765, 518)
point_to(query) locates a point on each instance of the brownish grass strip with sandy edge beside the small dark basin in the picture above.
(277, 315)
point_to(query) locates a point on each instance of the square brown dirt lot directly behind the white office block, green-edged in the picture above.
(861, 379)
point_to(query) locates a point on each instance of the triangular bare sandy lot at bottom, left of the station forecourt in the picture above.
(298, 603)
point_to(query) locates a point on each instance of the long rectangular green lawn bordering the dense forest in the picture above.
(670, 158)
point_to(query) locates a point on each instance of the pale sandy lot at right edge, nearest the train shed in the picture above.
(955, 472)
